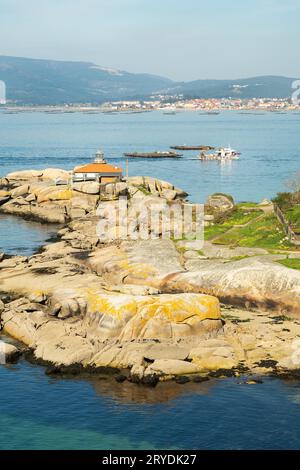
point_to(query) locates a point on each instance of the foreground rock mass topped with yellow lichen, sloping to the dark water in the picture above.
(100, 329)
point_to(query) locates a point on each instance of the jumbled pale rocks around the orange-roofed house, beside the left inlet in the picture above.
(50, 196)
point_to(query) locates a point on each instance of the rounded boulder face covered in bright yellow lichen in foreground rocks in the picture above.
(133, 314)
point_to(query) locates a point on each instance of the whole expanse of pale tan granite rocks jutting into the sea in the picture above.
(150, 307)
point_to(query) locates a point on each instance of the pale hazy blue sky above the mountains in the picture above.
(181, 39)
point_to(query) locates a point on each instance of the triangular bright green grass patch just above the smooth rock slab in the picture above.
(265, 232)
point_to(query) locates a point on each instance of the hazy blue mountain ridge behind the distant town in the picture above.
(35, 81)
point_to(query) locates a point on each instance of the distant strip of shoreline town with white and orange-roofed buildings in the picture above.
(169, 105)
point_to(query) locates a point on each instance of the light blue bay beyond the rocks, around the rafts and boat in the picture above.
(269, 144)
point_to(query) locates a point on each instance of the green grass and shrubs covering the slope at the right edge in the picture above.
(253, 225)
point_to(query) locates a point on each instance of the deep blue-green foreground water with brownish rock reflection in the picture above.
(37, 412)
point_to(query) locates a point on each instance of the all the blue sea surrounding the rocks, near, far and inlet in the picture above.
(39, 412)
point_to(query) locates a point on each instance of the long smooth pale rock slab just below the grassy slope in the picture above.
(255, 281)
